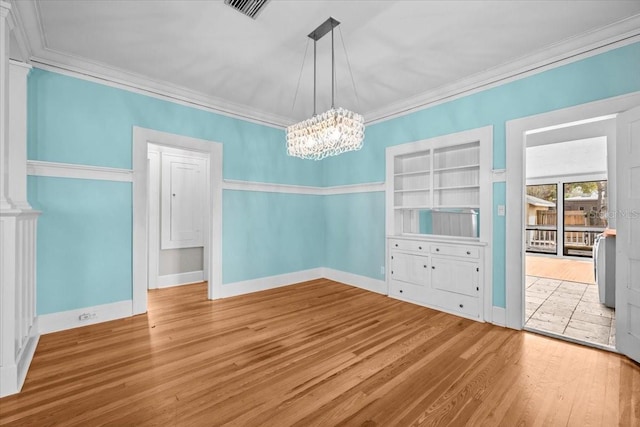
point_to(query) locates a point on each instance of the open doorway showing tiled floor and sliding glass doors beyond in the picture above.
(566, 209)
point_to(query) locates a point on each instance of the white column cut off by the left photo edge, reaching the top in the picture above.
(6, 24)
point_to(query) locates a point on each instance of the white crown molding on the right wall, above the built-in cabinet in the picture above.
(598, 41)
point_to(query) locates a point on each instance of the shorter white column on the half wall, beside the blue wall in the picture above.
(17, 165)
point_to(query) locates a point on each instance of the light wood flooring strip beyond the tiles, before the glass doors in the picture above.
(561, 268)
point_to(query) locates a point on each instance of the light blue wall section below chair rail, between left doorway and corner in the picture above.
(270, 233)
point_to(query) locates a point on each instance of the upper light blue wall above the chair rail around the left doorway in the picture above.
(78, 121)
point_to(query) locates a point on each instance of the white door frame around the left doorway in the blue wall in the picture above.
(213, 259)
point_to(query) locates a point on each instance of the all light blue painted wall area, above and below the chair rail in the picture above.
(76, 121)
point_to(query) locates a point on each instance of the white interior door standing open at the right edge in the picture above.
(628, 234)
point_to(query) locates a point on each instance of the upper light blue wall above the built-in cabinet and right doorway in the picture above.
(602, 76)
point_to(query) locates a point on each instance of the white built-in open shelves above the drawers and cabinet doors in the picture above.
(443, 173)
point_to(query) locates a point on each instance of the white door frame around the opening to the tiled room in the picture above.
(516, 133)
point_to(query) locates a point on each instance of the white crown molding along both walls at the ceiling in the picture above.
(33, 34)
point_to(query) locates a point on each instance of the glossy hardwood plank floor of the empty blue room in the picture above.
(317, 353)
